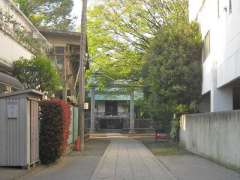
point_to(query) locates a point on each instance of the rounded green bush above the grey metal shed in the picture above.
(37, 73)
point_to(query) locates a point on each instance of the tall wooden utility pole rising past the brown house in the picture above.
(81, 97)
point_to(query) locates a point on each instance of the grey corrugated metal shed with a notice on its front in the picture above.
(19, 128)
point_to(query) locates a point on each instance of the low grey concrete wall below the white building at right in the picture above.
(213, 135)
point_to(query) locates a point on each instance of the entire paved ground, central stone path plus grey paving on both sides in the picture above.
(125, 159)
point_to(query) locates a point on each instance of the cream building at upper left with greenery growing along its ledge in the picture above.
(18, 38)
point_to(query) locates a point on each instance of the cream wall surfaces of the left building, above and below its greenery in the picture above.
(10, 49)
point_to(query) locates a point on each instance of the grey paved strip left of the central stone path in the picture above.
(75, 166)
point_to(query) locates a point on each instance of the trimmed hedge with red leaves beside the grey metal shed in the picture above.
(54, 130)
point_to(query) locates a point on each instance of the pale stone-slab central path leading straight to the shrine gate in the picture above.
(128, 159)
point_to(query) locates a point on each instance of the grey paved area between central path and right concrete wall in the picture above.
(191, 167)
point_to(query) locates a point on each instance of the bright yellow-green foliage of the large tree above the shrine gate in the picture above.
(119, 32)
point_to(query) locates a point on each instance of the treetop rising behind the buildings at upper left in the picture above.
(54, 14)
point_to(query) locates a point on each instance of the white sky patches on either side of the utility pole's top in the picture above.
(77, 8)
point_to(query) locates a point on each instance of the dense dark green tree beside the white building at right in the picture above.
(172, 72)
